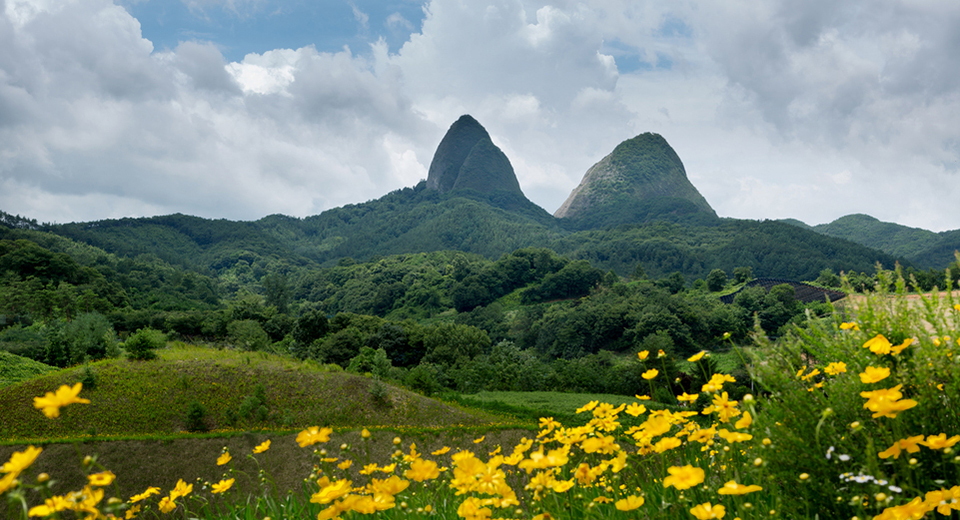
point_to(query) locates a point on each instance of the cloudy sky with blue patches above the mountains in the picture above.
(239, 109)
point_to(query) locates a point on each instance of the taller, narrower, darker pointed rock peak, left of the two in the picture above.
(468, 160)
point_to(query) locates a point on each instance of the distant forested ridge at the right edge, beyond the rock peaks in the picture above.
(924, 248)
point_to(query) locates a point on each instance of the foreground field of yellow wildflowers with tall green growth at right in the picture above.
(852, 416)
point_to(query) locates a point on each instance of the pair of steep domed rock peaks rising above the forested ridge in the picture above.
(638, 177)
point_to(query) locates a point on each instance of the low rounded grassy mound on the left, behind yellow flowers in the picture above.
(202, 389)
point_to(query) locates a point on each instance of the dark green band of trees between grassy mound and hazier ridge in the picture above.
(531, 320)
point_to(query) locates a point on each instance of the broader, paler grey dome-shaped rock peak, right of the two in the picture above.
(643, 171)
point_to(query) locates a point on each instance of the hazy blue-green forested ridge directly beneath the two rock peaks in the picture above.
(417, 220)
